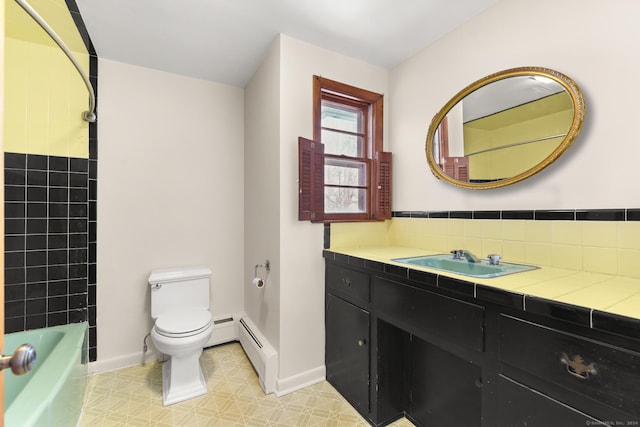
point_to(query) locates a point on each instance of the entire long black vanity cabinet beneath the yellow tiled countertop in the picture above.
(400, 342)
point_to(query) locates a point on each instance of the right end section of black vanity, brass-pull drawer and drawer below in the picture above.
(555, 373)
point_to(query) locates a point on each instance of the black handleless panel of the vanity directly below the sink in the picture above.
(427, 314)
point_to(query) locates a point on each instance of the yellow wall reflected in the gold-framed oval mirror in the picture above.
(508, 127)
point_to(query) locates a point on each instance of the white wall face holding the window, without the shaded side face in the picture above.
(302, 265)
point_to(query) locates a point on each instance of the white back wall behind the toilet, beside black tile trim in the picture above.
(170, 191)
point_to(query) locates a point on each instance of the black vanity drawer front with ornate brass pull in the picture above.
(606, 373)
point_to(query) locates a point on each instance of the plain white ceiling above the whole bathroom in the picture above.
(225, 40)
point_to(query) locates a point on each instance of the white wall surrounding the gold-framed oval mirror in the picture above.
(593, 42)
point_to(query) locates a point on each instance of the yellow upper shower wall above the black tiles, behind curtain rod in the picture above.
(44, 94)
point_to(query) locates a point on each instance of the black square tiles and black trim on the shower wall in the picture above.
(50, 232)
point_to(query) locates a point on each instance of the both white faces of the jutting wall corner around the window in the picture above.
(278, 108)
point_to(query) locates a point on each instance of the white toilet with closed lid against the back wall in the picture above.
(183, 325)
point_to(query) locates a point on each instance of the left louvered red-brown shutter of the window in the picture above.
(310, 180)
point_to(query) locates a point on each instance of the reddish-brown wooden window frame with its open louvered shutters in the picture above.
(312, 156)
